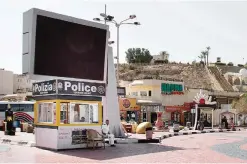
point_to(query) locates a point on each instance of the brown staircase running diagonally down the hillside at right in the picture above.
(221, 79)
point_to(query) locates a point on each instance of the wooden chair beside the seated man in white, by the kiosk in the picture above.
(95, 137)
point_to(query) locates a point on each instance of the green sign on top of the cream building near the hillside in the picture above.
(168, 88)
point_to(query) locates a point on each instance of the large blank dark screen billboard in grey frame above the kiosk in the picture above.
(55, 45)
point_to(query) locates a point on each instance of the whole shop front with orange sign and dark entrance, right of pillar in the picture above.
(129, 110)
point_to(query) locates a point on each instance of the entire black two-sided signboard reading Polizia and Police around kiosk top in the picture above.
(68, 87)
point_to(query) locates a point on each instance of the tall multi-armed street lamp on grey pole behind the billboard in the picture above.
(110, 19)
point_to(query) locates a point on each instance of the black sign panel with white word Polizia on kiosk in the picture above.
(45, 88)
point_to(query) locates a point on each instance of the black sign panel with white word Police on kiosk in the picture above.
(80, 88)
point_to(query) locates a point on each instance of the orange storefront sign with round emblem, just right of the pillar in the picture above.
(128, 104)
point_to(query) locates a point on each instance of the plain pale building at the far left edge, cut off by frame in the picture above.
(6, 82)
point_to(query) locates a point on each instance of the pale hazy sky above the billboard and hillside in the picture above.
(182, 28)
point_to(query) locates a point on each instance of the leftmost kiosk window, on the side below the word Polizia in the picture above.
(47, 112)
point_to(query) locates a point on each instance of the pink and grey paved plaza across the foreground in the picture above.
(228, 147)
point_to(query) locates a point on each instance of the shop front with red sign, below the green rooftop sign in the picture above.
(180, 114)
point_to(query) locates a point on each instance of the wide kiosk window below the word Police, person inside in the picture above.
(83, 113)
